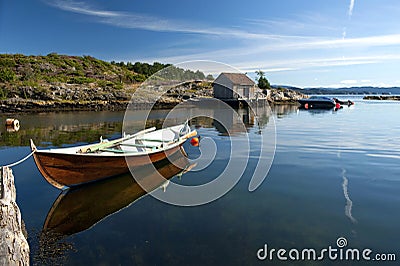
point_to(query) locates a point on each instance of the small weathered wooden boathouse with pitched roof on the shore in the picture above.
(235, 87)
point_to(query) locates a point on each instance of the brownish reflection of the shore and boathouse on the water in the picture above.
(58, 129)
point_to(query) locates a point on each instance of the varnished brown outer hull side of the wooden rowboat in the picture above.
(62, 170)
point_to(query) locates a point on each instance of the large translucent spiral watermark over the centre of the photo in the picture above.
(167, 80)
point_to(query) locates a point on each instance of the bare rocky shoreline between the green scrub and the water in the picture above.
(67, 97)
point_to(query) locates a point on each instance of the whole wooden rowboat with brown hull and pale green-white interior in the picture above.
(66, 167)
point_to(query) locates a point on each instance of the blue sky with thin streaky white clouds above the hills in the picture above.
(305, 43)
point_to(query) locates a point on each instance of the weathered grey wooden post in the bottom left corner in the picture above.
(14, 248)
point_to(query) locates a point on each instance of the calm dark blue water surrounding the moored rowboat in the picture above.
(335, 174)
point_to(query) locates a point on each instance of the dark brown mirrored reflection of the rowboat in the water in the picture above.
(79, 208)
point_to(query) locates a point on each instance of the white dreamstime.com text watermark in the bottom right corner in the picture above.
(340, 252)
